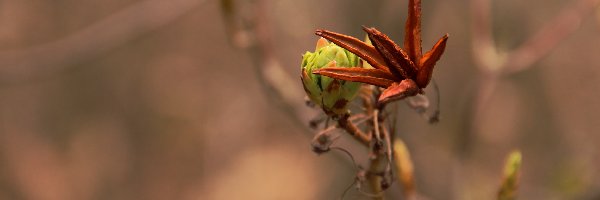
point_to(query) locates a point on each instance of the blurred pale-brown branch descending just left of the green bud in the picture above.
(253, 35)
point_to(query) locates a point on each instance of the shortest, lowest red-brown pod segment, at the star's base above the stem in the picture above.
(399, 90)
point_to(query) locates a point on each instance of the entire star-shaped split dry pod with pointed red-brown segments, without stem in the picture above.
(403, 72)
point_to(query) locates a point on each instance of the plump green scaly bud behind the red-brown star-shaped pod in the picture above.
(332, 95)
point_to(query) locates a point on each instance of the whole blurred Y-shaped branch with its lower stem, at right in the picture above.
(493, 65)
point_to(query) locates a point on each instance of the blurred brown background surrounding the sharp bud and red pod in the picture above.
(154, 99)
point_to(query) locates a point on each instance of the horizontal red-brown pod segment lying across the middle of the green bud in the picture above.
(369, 76)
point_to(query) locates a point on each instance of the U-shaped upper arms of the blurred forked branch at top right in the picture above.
(533, 49)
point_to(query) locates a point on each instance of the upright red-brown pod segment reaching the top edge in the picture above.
(412, 40)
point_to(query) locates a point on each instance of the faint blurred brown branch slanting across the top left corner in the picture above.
(21, 65)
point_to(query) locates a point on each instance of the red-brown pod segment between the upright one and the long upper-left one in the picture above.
(396, 59)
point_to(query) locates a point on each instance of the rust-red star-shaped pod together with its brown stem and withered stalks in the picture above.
(403, 73)
